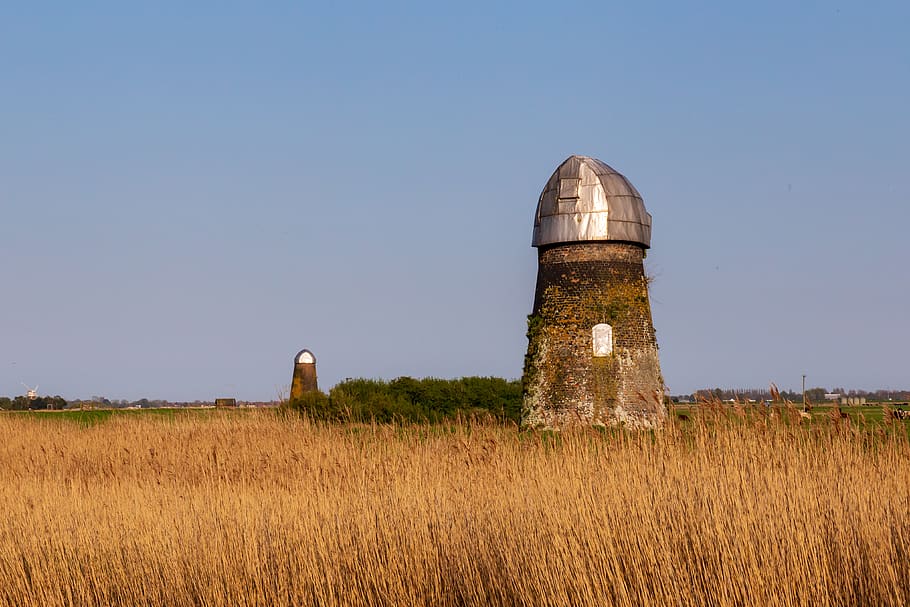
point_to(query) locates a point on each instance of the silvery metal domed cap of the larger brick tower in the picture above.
(585, 199)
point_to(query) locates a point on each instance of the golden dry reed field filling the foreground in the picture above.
(732, 507)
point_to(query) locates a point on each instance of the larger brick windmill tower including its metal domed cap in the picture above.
(592, 352)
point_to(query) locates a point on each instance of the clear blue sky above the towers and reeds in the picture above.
(191, 192)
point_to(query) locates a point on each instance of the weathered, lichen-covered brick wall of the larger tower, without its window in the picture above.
(580, 285)
